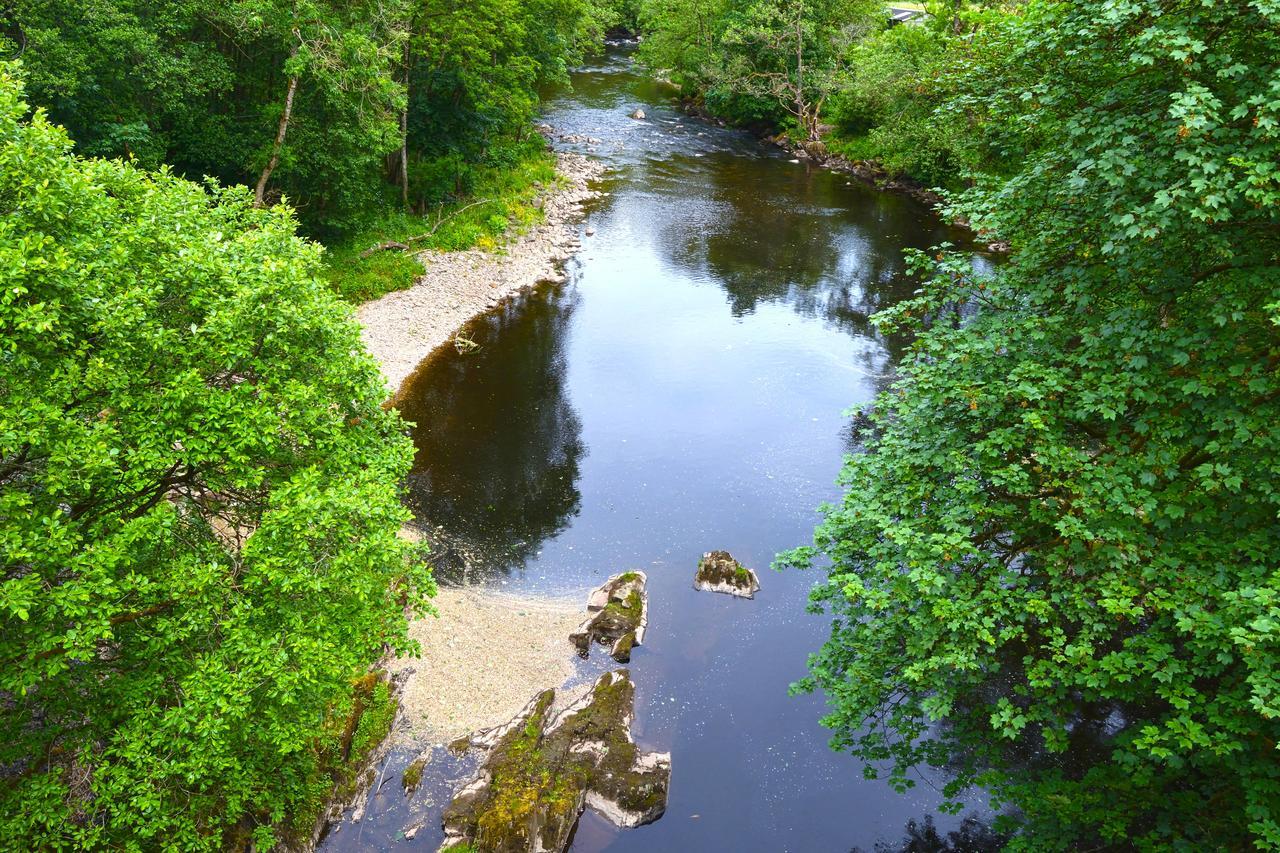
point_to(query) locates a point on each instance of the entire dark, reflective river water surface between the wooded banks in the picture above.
(682, 393)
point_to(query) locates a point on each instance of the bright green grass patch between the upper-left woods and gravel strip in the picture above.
(510, 194)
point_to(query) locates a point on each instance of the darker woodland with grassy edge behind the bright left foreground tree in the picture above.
(367, 117)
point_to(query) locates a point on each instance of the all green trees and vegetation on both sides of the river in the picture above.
(1055, 569)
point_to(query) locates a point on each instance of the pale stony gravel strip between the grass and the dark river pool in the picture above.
(403, 329)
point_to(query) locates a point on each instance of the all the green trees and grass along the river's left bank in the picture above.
(199, 483)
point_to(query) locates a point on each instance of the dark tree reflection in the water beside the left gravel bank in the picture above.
(487, 499)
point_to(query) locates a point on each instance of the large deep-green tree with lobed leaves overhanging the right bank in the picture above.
(1055, 568)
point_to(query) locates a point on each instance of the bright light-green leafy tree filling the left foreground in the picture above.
(199, 503)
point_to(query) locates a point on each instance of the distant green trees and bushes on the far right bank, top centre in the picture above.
(840, 75)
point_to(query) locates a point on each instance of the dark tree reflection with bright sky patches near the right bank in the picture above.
(792, 235)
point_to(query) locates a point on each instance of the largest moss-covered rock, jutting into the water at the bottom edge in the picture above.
(543, 769)
